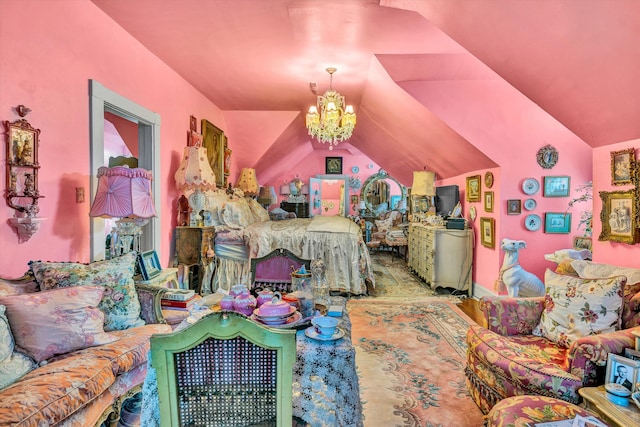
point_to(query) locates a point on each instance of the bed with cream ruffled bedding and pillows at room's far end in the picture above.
(245, 231)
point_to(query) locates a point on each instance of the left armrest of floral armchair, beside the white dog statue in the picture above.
(512, 316)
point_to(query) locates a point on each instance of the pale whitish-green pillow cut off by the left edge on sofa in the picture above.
(13, 364)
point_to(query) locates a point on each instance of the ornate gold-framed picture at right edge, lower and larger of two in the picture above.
(618, 217)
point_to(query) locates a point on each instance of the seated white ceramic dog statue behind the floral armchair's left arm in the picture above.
(519, 282)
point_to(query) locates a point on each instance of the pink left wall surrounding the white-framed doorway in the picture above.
(48, 69)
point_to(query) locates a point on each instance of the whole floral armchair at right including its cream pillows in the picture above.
(540, 345)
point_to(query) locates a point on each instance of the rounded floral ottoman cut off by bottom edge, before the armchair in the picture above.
(522, 411)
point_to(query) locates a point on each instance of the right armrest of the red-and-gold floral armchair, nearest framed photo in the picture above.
(596, 348)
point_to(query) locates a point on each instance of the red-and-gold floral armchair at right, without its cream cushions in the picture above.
(506, 358)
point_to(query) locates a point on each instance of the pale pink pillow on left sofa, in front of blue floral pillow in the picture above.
(57, 321)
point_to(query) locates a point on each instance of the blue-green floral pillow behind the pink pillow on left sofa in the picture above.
(120, 302)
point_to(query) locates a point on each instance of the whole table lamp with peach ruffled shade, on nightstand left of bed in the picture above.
(195, 174)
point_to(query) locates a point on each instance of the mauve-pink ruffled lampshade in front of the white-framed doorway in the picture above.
(123, 192)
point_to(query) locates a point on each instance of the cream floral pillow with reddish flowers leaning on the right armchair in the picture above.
(575, 307)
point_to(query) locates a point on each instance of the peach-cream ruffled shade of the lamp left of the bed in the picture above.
(195, 171)
